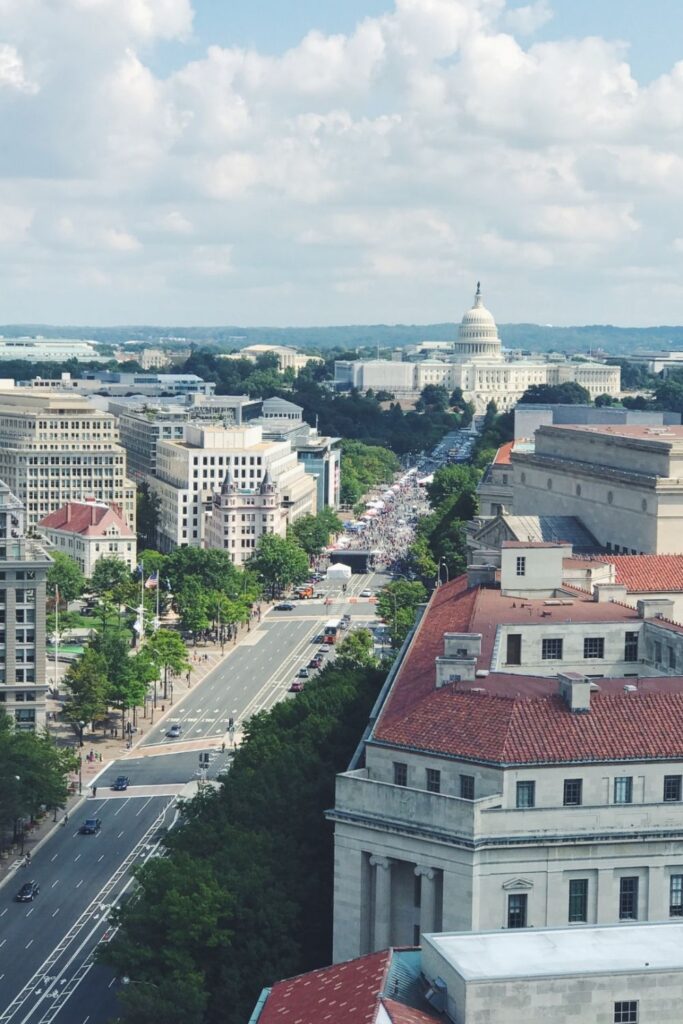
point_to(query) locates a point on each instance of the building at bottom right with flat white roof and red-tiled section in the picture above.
(632, 974)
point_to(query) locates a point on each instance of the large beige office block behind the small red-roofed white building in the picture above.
(57, 448)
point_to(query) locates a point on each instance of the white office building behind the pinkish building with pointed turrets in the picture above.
(192, 471)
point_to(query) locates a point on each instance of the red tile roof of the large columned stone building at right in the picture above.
(518, 719)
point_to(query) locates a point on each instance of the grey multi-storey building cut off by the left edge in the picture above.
(24, 566)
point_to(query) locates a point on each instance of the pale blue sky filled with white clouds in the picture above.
(313, 162)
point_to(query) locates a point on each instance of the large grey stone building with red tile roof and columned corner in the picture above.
(524, 767)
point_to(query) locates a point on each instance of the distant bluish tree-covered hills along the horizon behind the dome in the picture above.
(616, 340)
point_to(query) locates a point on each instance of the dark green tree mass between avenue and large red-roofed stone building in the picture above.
(248, 860)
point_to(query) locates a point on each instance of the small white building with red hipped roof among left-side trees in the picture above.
(89, 531)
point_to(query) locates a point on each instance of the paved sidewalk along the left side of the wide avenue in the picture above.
(106, 749)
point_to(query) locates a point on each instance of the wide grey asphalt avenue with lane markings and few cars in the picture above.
(47, 948)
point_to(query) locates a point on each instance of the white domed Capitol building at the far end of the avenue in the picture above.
(476, 363)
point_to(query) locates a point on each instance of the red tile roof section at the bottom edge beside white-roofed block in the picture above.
(344, 994)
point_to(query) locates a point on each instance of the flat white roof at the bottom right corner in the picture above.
(552, 953)
